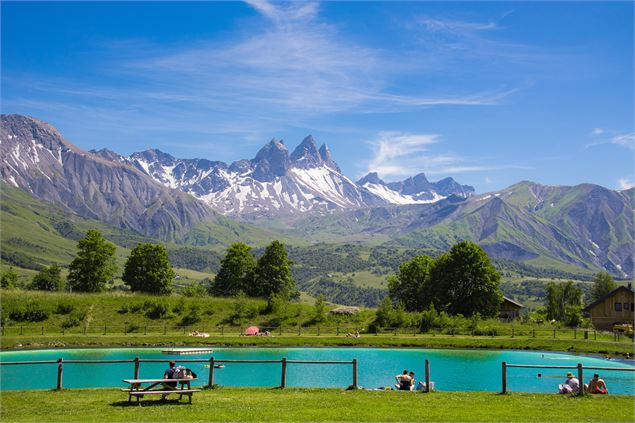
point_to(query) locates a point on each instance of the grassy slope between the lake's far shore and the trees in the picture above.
(120, 318)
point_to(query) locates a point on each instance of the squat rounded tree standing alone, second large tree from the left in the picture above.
(149, 270)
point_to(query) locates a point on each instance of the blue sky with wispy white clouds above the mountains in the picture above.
(489, 93)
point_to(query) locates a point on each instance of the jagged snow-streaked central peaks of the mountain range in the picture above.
(276, 183)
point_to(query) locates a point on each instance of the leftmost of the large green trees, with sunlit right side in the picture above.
(94, 265)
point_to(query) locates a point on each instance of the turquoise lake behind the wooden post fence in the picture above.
(451, 370)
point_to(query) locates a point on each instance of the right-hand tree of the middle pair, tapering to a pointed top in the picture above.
(273, 273)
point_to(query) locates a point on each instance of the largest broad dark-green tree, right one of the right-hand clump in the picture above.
(464, 281)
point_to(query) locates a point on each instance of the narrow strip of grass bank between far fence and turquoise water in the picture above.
(420, 341)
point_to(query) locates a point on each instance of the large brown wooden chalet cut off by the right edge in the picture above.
(614, 307)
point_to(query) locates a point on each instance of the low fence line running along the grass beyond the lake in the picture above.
(298, 330)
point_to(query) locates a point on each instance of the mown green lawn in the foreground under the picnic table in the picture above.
(324, 405)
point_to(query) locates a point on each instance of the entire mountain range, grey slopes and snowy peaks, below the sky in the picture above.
(303, 195)
